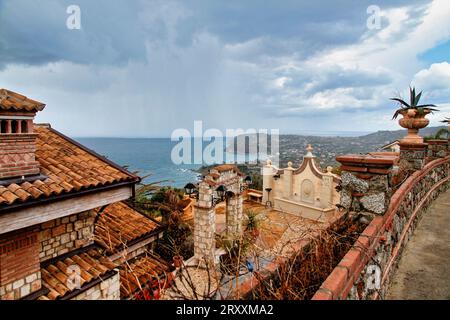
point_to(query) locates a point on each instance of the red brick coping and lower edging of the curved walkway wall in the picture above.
(341, 280)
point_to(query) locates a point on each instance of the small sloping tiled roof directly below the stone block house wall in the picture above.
(56, 276)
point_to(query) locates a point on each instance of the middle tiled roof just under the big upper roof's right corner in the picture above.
(119, 224)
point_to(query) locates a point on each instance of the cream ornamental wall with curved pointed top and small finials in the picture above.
(306, 191)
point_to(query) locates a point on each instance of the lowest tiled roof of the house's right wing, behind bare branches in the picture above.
(140, 275)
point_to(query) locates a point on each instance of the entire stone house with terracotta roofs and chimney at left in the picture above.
(59, 203)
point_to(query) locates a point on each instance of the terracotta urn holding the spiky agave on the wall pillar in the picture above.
(413, 120)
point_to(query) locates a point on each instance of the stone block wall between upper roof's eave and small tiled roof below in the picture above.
(63, 235)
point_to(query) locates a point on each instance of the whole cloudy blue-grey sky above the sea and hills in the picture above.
(143, 68)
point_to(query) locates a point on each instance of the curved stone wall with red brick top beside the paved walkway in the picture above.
(366, 269)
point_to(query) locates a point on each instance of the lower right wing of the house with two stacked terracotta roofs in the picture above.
(127, 238)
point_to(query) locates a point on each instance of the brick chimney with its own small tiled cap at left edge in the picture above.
(17, 140)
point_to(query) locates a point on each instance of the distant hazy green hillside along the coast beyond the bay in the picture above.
(292, 147)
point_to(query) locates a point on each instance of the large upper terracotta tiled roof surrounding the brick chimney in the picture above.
(69, 167)
